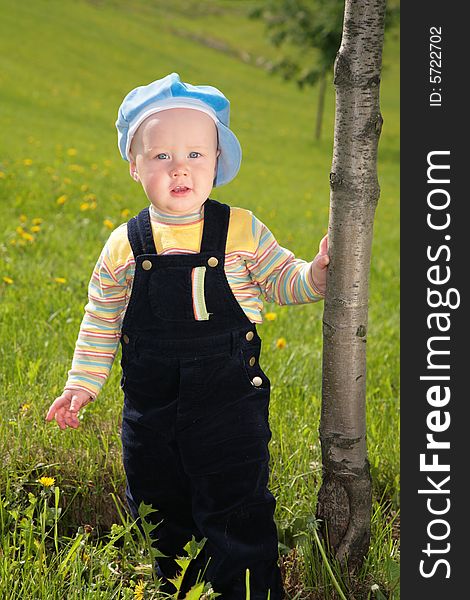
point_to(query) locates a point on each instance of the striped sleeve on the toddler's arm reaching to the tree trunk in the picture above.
(282, 278)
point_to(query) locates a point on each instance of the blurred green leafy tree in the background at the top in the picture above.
(308, 25)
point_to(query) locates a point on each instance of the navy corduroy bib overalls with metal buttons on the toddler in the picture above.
(195, 426)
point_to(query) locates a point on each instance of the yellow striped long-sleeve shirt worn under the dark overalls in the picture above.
(255, 266)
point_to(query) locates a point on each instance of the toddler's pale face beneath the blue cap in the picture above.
(175, 147)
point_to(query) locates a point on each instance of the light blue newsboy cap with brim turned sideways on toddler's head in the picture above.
(170, 92)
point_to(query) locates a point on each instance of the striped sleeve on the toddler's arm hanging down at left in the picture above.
(100, 330)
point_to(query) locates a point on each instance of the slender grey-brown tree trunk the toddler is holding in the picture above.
(344, 501)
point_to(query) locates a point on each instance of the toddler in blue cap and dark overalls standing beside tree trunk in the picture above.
(179, 287)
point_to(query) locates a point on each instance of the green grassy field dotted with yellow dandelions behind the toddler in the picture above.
(64, 69)
